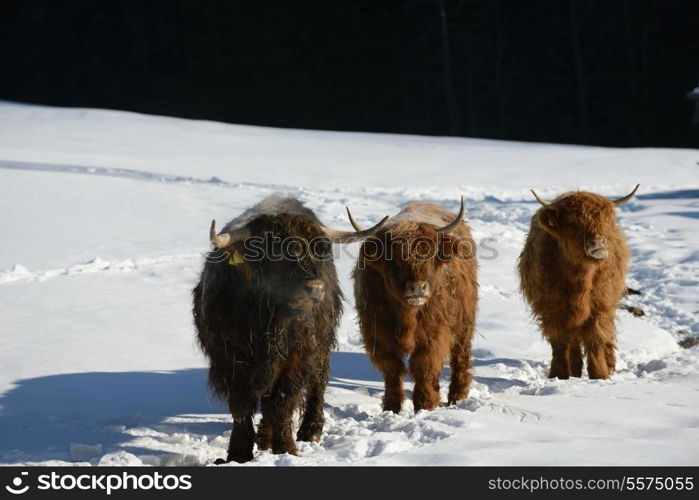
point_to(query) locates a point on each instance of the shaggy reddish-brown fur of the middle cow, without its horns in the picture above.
(442, 328)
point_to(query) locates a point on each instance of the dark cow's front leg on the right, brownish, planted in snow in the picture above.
(283, 400)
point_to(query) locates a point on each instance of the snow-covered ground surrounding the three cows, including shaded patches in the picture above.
(104, 217)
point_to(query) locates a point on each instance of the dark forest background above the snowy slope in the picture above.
(605, 72)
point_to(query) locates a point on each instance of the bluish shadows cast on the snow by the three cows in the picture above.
(41, 417)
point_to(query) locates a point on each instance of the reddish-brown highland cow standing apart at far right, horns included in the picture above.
(572, 272)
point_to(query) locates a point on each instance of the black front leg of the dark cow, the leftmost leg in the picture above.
(241, 403)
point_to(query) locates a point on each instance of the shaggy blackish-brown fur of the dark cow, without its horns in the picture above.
(264, 337)
